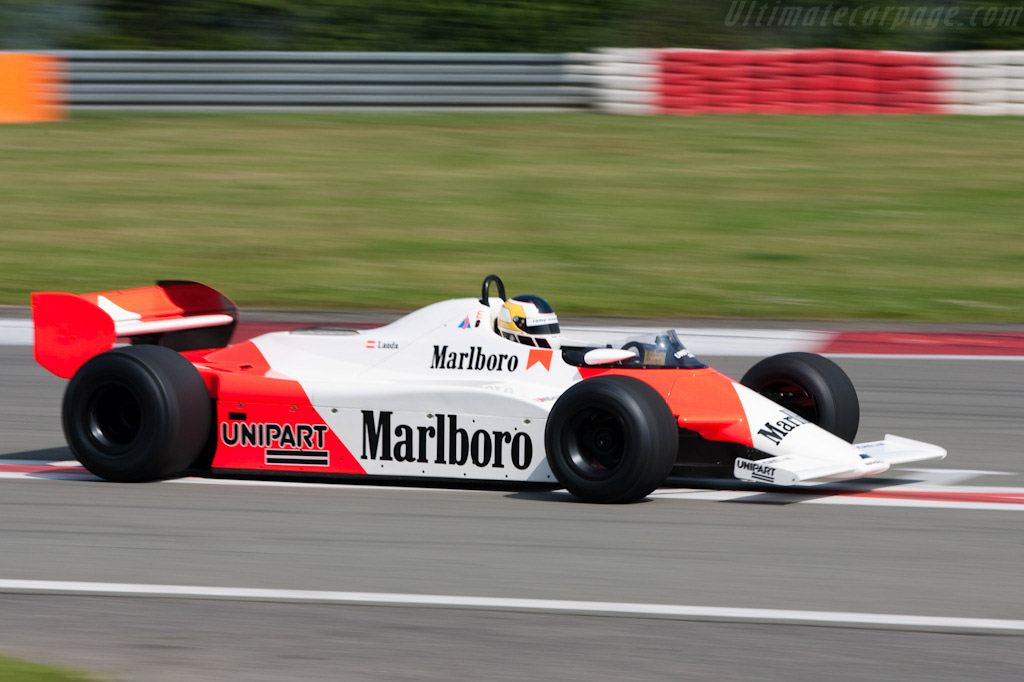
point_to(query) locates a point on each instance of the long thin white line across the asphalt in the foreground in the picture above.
(530, 606)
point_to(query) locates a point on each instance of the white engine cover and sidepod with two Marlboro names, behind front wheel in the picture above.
(403, 371)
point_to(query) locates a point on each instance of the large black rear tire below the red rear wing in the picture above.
(138, 413)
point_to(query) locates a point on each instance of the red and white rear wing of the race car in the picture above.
(72, 328)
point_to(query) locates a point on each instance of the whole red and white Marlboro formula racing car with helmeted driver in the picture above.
(483, 390)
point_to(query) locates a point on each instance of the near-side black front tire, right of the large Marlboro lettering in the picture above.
(612, 440)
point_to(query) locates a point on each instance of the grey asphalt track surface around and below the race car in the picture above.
(757, 550)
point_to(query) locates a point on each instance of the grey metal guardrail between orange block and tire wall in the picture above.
(209, 81)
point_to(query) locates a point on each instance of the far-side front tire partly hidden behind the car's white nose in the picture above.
(813, 387)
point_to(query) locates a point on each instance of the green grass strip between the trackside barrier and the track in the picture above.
(826, 218)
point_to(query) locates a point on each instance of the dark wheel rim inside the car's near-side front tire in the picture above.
(595, 442)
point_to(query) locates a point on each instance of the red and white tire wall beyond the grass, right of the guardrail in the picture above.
(812, 81)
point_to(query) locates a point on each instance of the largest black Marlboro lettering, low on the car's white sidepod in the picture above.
(444, 443)
